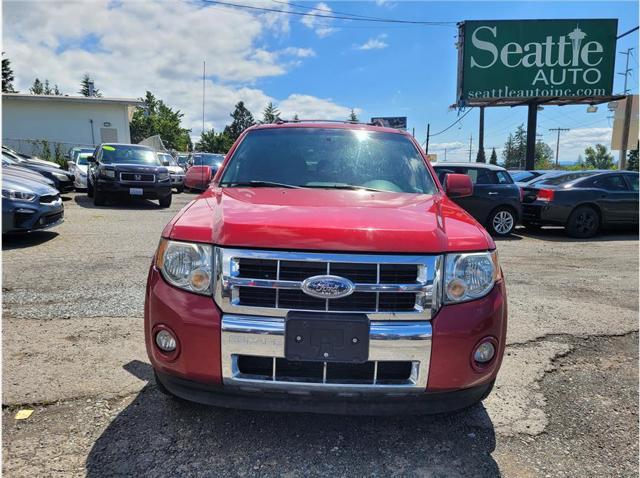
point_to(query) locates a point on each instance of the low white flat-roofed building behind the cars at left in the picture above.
(64, 121)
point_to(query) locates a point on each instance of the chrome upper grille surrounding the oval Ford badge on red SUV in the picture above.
(251, 281)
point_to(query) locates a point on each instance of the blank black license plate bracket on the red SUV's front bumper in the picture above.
(324, 337)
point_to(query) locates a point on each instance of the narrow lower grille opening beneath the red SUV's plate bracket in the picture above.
(280, 369)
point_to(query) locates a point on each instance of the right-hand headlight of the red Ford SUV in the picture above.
(470, 276)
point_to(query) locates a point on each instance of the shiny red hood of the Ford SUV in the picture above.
(328, 220)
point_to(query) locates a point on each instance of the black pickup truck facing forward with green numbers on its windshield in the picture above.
(127, 170)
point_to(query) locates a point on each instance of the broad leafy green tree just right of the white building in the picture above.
(156, 118)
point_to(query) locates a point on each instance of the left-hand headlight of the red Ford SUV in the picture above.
(186, 265)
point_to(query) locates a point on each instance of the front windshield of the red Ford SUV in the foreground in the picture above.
(326, 158)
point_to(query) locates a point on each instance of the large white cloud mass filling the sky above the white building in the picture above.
(132, 47)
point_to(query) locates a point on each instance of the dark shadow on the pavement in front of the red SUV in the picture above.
(160, 436)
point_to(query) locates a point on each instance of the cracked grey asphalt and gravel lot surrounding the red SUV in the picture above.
(565, 403)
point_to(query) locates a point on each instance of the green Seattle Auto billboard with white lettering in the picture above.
(522, 59)
